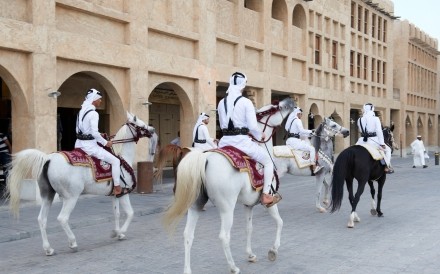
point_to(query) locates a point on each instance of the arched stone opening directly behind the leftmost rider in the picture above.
(73, 90)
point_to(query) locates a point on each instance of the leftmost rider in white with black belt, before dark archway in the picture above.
(88, 136)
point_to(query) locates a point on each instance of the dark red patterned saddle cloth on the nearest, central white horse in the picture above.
(243, 163)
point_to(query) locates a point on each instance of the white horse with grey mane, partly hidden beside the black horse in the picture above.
(323, 143)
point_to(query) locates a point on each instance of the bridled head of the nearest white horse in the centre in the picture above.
(274, 114)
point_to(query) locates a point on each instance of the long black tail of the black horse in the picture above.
(343, 163)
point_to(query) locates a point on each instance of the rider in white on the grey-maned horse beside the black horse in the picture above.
(295, 130)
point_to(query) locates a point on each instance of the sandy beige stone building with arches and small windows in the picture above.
(330, 56)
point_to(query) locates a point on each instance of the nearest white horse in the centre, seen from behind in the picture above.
(203, 176)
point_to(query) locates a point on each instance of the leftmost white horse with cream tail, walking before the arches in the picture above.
(55, 175)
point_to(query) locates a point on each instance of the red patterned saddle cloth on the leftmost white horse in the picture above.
(101, 170)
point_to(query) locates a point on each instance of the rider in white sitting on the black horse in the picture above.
(371, 133)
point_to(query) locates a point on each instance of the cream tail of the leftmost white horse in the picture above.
(26, 164)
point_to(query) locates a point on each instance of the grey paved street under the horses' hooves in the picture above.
(405, 240)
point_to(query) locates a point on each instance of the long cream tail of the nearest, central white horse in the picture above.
(190, 178)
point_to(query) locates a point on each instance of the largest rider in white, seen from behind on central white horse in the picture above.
(237, 120)
